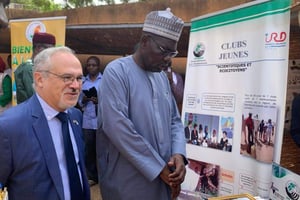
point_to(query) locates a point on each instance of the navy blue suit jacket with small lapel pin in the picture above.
(28, 163)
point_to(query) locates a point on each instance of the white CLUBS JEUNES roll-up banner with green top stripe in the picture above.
(234, 99)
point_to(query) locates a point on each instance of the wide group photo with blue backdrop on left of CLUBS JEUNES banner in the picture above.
(209, 131)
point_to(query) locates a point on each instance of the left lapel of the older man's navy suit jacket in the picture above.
(43, 135)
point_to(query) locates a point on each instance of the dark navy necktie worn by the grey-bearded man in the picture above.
(74, 180)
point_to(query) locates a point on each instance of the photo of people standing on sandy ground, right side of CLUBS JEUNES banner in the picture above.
(258, 129)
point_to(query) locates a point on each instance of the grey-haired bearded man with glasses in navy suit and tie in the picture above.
(34, 161)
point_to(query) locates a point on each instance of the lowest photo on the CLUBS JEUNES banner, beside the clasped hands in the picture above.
(204, 180)
